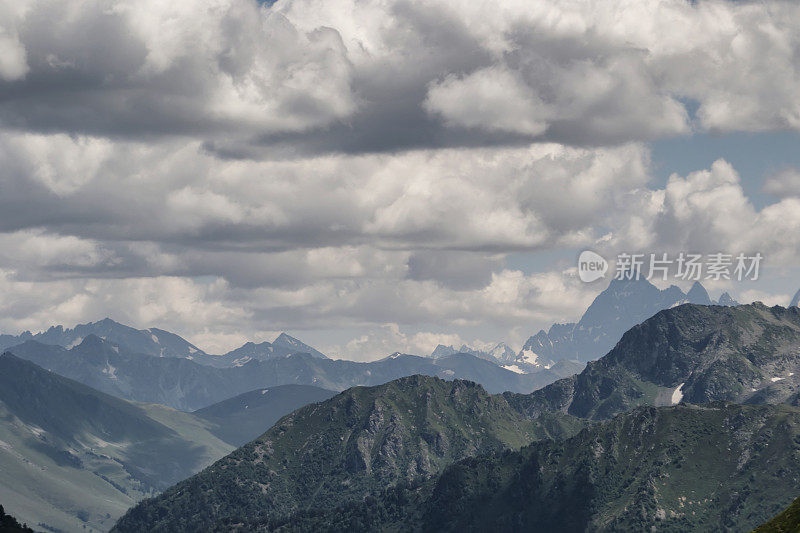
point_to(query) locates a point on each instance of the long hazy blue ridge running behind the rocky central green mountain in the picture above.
(187, 385)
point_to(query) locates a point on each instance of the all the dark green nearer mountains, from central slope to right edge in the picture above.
(634, 465)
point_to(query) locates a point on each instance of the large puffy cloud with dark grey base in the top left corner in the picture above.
(152, 68)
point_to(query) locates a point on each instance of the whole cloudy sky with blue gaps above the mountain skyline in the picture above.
(376, 176)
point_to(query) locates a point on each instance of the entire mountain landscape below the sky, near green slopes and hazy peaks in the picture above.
(446, 445)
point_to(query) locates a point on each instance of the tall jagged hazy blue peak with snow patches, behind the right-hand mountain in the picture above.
(615, 310)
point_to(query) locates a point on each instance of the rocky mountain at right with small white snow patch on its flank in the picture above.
(698, 354)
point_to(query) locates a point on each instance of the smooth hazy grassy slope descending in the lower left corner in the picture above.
(72, 457)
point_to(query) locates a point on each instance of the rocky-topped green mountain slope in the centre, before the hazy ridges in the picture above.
(343, 449)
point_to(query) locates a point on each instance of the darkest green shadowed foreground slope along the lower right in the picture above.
(721, 467)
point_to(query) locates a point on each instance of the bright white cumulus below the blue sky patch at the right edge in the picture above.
(707, 211)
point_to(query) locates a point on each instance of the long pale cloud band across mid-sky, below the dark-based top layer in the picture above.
(176, 194)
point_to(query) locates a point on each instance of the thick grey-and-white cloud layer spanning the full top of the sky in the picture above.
(303, 77)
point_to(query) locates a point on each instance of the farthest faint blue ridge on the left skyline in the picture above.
(151, 341)
